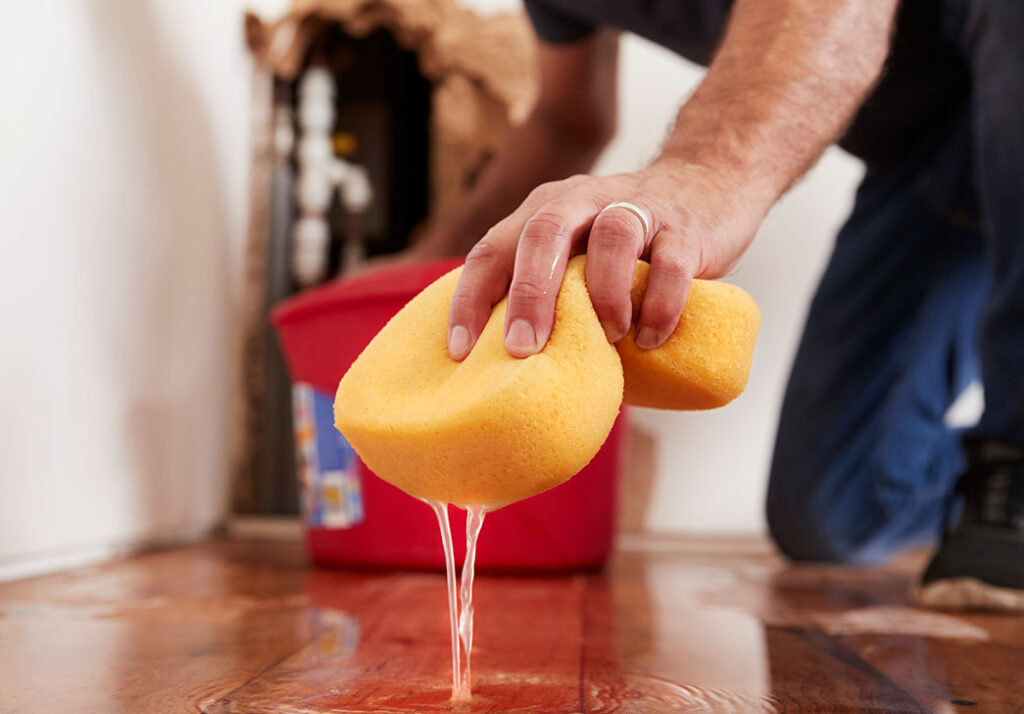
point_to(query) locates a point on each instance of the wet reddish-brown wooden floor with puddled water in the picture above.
(672, 626)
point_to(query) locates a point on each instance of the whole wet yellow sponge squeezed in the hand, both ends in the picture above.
(494, 429)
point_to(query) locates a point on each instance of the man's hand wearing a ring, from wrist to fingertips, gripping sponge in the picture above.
(697, 231)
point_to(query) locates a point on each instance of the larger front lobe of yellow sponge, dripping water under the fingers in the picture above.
(492, 430)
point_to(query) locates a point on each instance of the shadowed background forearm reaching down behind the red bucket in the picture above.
(543, 149)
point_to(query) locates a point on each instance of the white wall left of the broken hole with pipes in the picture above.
(123, 137)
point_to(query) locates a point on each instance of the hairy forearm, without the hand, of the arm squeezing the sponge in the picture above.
(788, 78)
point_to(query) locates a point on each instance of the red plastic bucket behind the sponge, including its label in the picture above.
(355, 519)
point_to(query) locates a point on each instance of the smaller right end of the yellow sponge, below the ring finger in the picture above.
(706, 362)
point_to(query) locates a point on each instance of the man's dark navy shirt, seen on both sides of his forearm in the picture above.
(923, 91)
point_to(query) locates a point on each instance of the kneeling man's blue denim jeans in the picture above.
(924, 295)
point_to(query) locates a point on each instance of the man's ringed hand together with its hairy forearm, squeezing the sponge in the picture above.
(788, 77)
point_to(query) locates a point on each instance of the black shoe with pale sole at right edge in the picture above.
(980, 565)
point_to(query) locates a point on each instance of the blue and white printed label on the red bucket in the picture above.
(329, 480)
